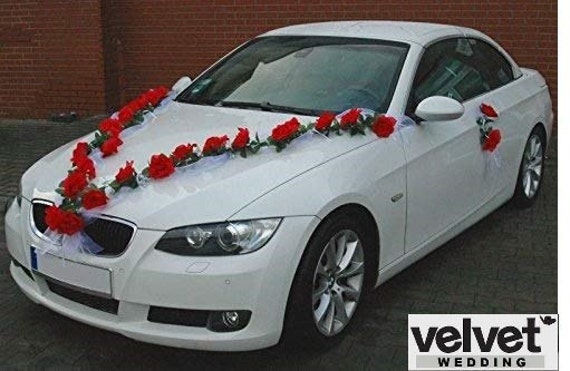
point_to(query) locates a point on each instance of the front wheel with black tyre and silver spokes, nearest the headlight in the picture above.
(322, 289)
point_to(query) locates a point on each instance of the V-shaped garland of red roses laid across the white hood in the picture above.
(78, 193)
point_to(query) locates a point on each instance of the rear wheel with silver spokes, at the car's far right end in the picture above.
(531, 170)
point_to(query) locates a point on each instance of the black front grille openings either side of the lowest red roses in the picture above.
(111, 235)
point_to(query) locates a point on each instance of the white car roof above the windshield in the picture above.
(415, 32)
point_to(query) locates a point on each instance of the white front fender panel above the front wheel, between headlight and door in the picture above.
(372, 176)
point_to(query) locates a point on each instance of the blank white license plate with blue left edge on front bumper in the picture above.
(73, 273)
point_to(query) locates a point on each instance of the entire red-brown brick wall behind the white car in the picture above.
(93, 55)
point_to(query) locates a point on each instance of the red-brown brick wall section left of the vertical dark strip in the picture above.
(50, 57)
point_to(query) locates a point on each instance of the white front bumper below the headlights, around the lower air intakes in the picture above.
(143, 277)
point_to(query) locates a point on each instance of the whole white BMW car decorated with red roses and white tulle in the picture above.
(423, 130)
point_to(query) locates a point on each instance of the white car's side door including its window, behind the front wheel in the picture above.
(448, 174)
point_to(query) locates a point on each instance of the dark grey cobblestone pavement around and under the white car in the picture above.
(507, 263)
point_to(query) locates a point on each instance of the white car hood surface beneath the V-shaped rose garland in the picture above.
(211, 190)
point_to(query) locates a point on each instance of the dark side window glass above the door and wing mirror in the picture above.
(459, 68)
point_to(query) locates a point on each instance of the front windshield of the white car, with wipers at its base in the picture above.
(305, 75)
